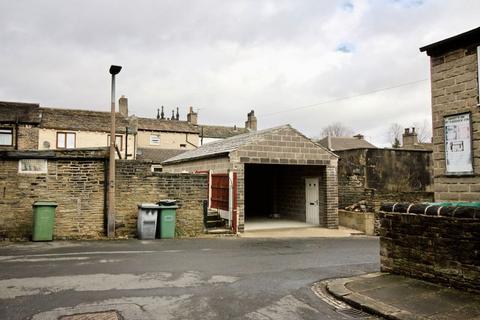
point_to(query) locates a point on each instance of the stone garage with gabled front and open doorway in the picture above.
(275, 172)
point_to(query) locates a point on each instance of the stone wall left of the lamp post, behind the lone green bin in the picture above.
(75, 180)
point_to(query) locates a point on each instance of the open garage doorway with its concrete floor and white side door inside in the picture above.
(276, 196)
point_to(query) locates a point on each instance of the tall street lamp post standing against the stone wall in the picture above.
(114, 70)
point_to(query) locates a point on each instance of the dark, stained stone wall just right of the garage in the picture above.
(379, 175)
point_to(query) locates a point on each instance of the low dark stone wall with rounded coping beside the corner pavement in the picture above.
(438, 244)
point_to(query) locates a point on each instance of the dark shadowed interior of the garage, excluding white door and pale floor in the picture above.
(278, 191)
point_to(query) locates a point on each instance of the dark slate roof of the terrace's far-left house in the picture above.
(22, 112)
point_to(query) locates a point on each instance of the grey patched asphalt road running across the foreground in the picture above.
(179, 279)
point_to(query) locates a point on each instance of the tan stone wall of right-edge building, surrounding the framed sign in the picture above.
(455, 90)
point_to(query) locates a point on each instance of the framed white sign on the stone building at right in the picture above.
(458, 144)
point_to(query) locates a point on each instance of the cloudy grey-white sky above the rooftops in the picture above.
(308, 63)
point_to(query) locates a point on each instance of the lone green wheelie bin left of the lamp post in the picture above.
(43, 220)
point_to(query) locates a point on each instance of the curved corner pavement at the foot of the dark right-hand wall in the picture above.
(398, 297)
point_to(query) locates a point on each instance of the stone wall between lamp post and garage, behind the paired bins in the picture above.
(135, 183)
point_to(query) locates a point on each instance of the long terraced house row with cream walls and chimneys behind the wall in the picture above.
(27, 126)
